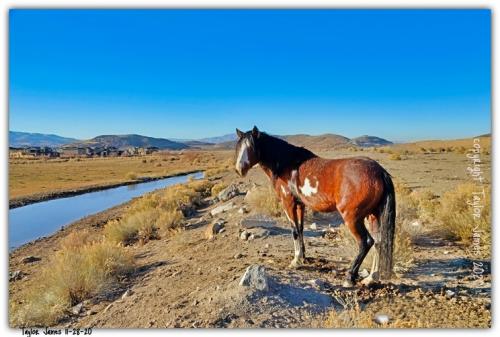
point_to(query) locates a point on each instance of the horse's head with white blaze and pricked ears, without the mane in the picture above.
(246, 150)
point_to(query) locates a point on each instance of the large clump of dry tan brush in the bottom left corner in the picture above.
(79, 270)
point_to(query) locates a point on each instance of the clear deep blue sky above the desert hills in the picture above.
(401, 74)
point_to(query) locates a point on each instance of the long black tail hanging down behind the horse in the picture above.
(387, 222)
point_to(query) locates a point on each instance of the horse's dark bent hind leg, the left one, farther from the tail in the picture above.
(365, 242)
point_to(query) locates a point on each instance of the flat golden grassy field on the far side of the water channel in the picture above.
(41, 176)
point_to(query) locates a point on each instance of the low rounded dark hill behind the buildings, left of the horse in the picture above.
(125, 141)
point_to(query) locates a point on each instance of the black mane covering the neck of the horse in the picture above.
(278, 155)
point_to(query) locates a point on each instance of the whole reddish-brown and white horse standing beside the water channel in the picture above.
(357, 188)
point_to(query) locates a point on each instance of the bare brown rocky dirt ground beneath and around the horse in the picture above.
(187, 280)
